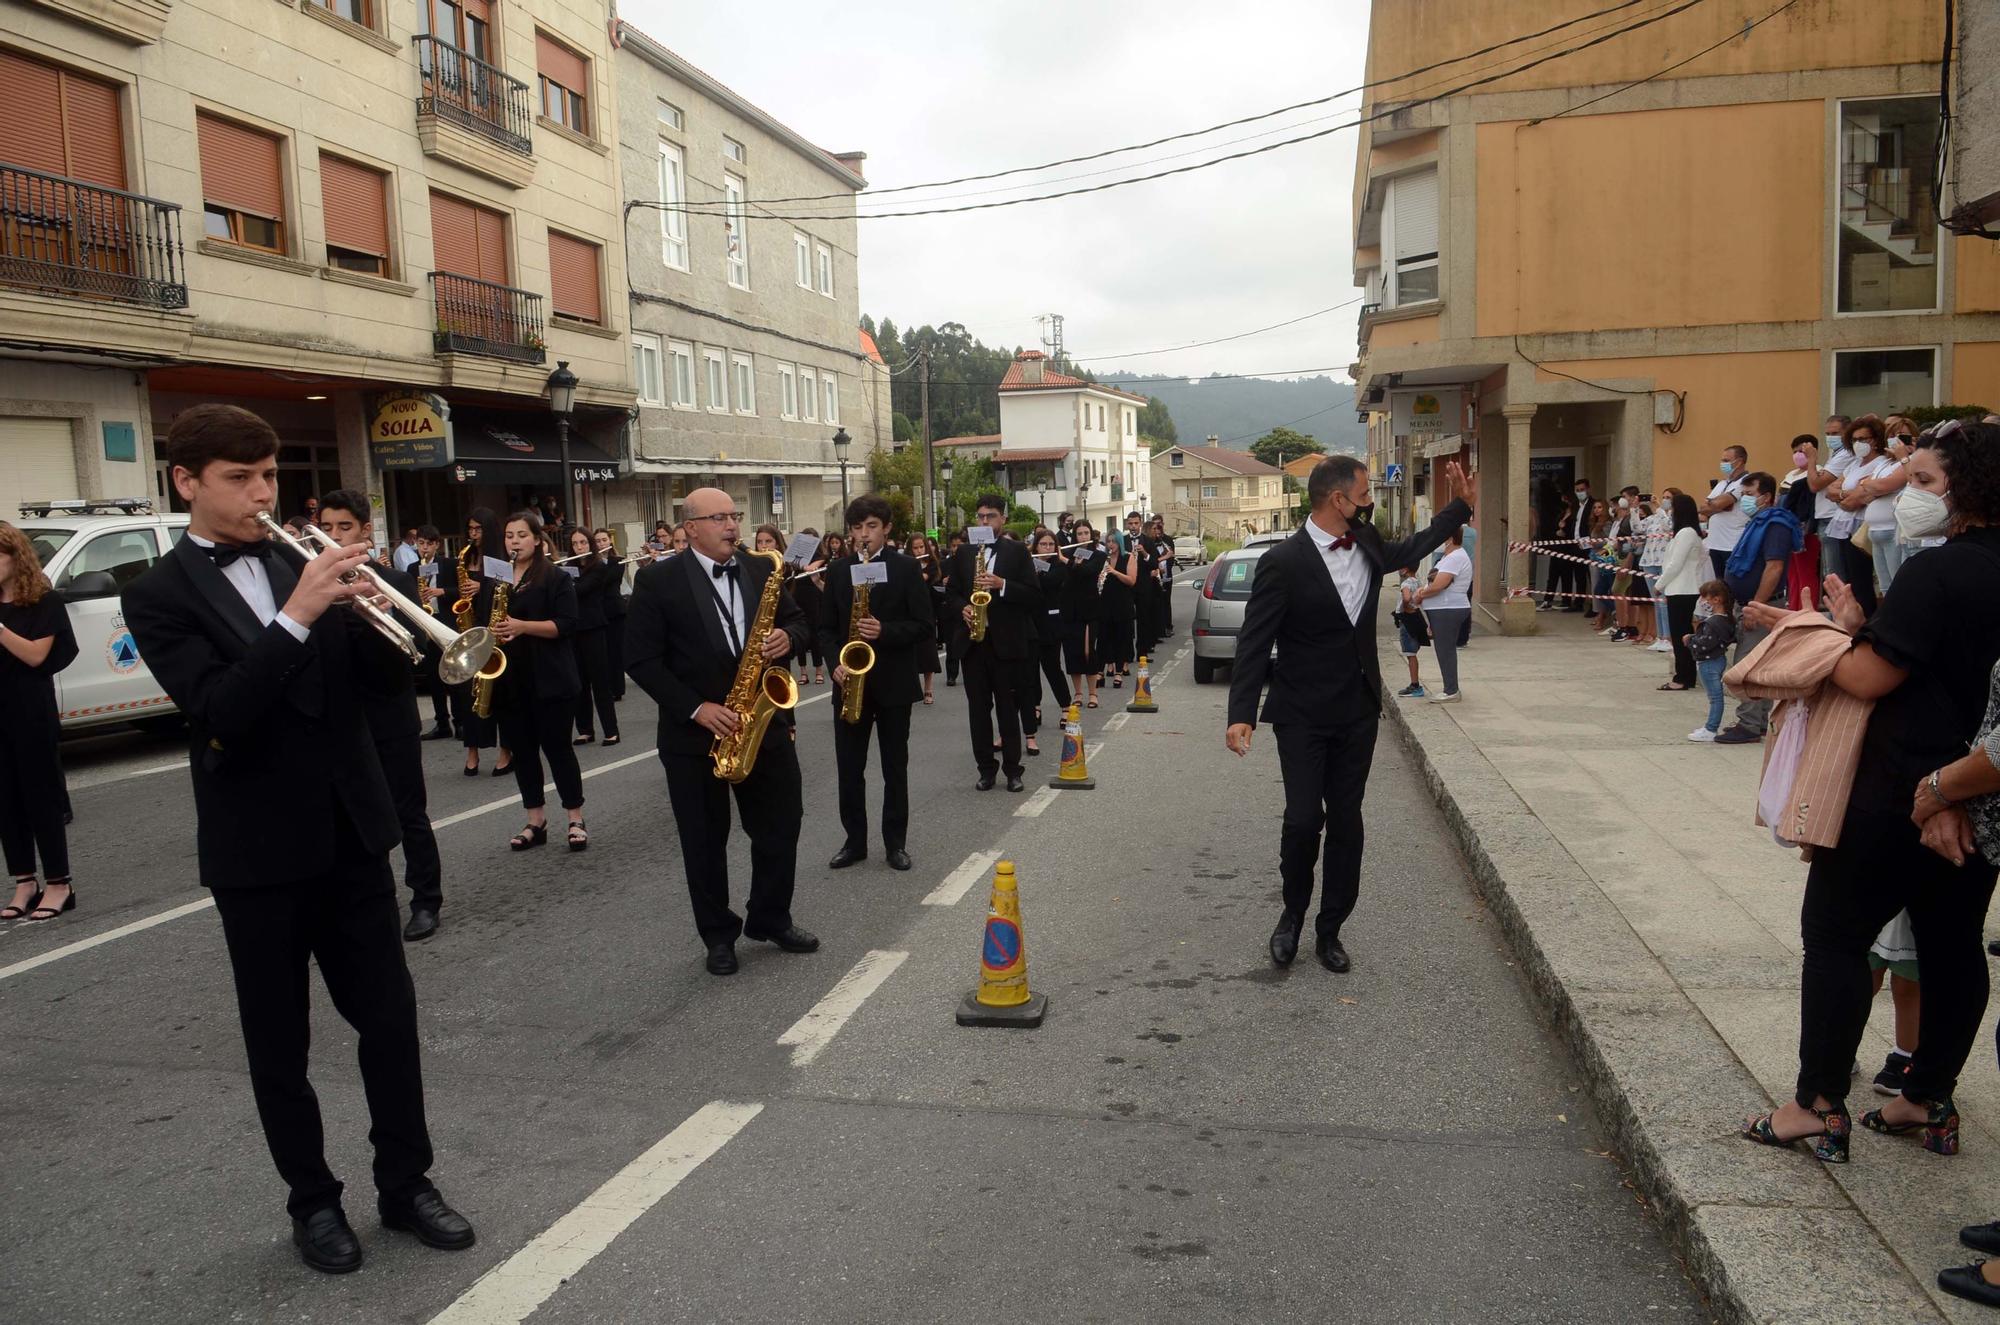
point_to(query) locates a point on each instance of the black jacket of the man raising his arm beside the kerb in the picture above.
(1327, 672)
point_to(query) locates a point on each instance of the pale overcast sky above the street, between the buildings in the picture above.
(967, 87)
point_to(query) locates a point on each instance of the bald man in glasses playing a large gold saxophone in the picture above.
(687, 629)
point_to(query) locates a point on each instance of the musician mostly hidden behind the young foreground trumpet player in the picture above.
(393, 724)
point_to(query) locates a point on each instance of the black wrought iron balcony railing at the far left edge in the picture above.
(83, 239)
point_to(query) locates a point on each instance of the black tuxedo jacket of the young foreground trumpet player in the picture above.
(277, 734)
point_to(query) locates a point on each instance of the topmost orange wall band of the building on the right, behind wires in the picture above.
(1405, 35)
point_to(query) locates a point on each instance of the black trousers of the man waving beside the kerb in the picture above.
(1325, 782)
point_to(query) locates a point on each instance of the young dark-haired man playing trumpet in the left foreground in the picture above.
(293, 820)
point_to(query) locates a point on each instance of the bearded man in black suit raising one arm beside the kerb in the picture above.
(1315, 597)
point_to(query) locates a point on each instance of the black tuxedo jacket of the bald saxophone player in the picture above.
(679, 653)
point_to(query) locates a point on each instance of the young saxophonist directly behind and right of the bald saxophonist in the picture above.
(897, 625)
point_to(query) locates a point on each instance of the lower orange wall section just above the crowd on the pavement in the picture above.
(1753, 401)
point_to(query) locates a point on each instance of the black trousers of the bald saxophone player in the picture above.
(771, 810)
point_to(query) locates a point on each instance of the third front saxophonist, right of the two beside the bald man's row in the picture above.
(997, 668)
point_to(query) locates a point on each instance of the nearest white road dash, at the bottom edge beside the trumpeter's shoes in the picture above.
(513, 1290)
